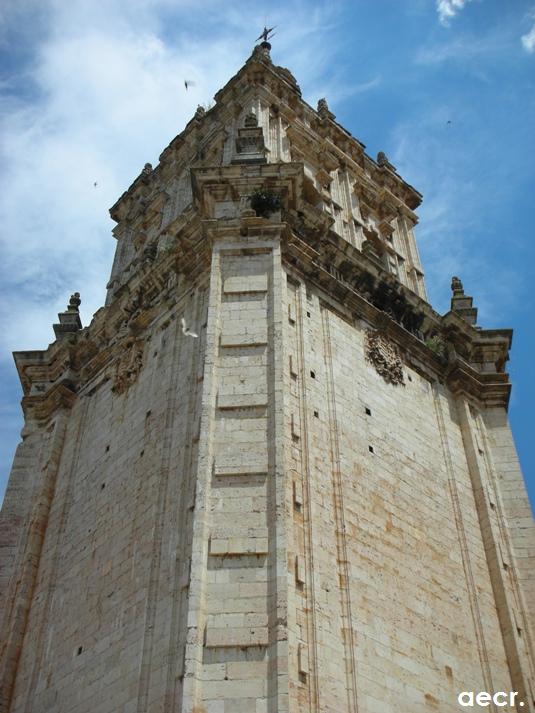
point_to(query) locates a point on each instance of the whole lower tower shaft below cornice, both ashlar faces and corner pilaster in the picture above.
(259, 522)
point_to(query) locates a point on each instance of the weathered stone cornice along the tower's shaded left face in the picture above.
(52, 378)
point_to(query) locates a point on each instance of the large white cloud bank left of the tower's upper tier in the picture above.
(104, 94)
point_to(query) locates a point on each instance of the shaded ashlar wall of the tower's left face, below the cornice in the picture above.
(106, 630)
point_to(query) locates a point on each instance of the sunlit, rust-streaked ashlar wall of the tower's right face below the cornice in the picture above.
(392, 581)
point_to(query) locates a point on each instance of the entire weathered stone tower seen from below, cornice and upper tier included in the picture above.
(268, 477)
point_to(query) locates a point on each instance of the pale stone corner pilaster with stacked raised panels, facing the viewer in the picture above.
(236, 648)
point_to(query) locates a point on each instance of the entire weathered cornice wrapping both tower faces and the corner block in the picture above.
(446, 347)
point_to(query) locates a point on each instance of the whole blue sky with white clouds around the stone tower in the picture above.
(89, 92)
